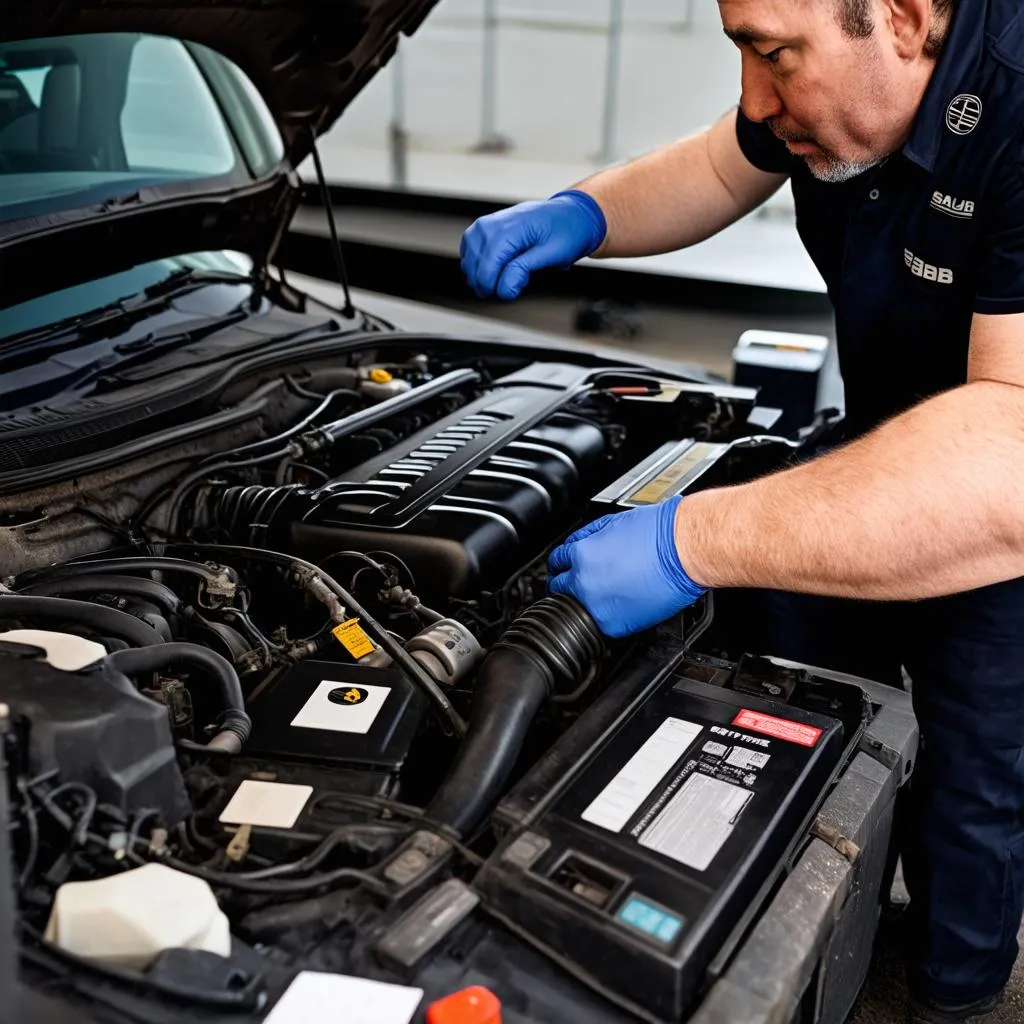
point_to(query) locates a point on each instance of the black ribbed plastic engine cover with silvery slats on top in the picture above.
(474, 497)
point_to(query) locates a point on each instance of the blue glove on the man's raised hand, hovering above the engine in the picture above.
(502, 250)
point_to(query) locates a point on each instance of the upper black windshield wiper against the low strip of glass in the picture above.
(122, 313)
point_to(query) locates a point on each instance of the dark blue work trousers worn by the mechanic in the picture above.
(964, 847)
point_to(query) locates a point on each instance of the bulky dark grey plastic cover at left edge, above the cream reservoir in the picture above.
(95, 728)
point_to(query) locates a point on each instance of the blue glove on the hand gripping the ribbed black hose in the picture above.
(625, 571)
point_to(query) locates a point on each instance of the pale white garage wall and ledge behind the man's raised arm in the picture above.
(678, 74)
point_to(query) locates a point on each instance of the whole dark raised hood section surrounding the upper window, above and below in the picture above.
(309, 59)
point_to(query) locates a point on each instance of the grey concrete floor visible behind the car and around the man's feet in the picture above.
(708, 338)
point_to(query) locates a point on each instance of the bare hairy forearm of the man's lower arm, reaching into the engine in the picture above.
(932, 503)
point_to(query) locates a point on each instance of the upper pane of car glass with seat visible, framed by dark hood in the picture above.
(89, 119)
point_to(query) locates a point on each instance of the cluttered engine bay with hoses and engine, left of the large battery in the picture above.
(306, 667)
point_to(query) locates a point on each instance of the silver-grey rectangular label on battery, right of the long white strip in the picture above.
(697, 823)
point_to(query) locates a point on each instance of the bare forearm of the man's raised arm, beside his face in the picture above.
(679, 195)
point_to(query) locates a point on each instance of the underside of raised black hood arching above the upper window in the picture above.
(310, 59)
